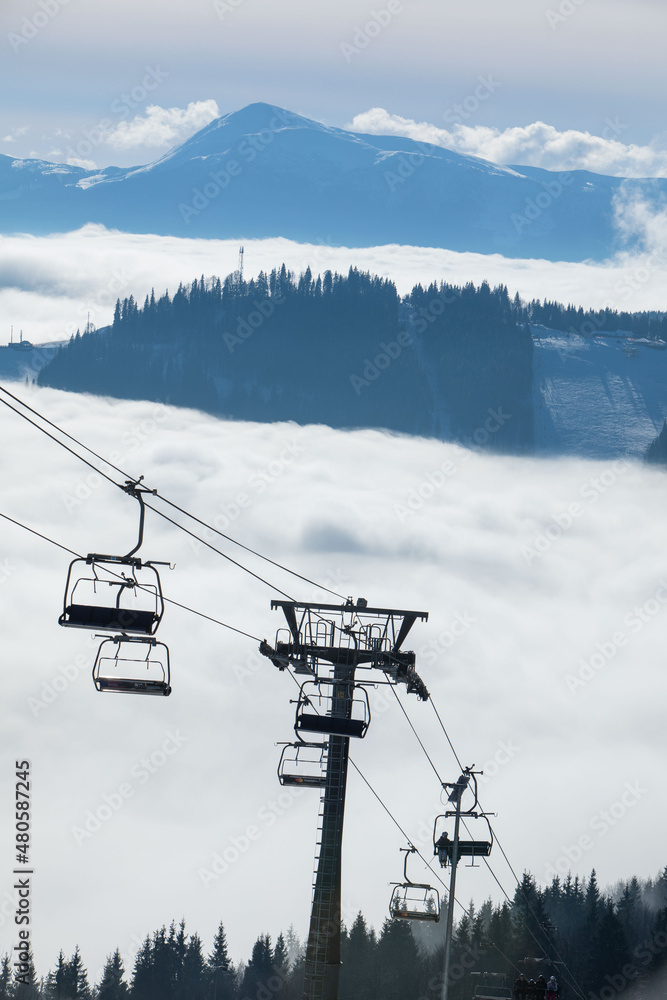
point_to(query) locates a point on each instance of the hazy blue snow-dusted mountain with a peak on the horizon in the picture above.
(264, 172)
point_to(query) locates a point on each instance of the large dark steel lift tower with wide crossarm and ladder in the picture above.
(327, 644)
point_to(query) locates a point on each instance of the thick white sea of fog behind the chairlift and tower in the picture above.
(502, 681)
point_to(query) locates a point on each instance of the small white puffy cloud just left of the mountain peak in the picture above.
(160, 127)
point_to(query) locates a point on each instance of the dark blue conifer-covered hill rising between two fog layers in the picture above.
(339, 350)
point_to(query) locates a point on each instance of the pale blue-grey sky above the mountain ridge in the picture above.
(576, 65)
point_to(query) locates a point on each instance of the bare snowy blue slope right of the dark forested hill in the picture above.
(598, 397)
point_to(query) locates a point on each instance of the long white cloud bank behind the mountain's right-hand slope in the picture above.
(536, 145)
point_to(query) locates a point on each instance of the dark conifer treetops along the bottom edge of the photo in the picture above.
(598, 945)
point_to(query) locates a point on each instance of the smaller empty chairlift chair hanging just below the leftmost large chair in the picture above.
(132, 665)
